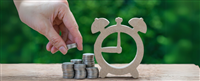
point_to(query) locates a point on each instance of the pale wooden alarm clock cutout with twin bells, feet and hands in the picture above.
(99, 25)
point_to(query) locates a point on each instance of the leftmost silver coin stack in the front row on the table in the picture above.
(68, 71)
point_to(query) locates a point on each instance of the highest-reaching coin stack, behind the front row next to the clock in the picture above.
(88, 59)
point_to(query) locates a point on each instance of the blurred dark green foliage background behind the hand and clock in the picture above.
(173, 34)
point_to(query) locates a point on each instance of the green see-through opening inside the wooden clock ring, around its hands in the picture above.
(128, 46)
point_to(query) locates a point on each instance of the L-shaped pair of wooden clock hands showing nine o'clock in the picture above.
(113, 49)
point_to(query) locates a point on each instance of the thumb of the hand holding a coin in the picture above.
(54, 38)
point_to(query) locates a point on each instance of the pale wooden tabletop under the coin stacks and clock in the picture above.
(53, 72)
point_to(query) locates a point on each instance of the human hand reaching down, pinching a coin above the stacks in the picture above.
(50, 17)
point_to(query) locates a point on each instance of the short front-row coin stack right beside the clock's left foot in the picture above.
(92, 72)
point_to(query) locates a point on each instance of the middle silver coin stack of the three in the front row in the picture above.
(80, 72)
